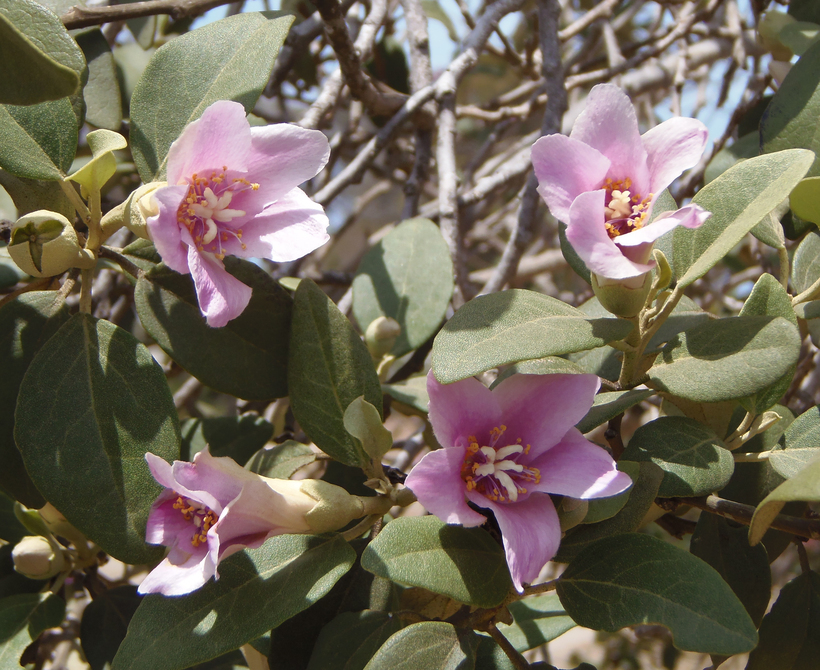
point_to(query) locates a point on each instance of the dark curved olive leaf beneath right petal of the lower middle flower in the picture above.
(641, 498)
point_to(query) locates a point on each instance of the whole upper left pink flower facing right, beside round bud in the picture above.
(233, 191)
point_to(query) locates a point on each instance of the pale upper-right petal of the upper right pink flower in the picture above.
(672, 147)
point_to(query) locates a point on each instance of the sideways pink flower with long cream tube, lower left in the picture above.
(213, 508)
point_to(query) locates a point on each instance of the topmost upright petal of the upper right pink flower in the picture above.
(610, 125)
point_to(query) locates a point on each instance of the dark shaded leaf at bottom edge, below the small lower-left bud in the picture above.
(105, 623)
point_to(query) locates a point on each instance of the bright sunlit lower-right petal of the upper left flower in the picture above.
(288, 229)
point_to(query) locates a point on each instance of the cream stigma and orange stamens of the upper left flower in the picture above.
(206, 214)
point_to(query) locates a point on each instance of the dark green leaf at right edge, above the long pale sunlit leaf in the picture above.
(789, 121)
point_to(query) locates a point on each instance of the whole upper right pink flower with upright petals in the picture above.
(603, 180)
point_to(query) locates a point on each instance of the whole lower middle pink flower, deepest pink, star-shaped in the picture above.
(505, 450)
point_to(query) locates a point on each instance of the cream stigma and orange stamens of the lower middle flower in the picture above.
(494, 470)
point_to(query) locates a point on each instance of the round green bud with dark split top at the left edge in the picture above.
(45, 244)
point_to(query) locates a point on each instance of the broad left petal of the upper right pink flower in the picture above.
(565, 168)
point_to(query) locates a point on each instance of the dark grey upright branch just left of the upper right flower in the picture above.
(549, 12)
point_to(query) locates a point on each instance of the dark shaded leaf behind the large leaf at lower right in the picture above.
(725, 546)
